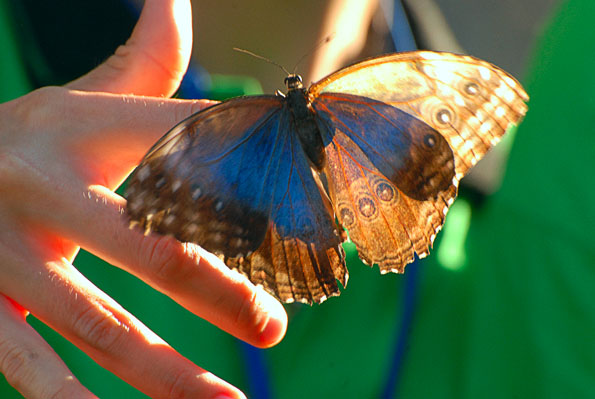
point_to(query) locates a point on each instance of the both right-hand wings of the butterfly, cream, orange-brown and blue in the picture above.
(399, 133)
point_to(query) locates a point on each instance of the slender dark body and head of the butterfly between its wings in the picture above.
(303, 119)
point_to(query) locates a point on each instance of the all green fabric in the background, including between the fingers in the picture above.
(516, 320)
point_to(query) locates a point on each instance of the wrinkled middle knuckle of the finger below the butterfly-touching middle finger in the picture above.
(100, 328)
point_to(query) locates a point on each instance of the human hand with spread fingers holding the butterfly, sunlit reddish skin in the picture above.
(62, 152)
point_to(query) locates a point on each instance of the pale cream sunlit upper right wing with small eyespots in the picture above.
(469, 101)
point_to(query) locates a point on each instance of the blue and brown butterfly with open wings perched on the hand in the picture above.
(270, 183)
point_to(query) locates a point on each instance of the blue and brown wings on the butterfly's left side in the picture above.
(234, 180)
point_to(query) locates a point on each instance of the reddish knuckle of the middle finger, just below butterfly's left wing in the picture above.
(165, 258)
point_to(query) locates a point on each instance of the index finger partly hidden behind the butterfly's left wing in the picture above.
(114, 136)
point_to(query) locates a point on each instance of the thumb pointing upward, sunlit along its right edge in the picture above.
(153, 60)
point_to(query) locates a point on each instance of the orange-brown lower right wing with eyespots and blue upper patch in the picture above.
(391, 177)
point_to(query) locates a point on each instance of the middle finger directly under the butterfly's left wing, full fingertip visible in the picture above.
(197, 280)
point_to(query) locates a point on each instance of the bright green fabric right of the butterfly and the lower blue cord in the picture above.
(525, 326)
